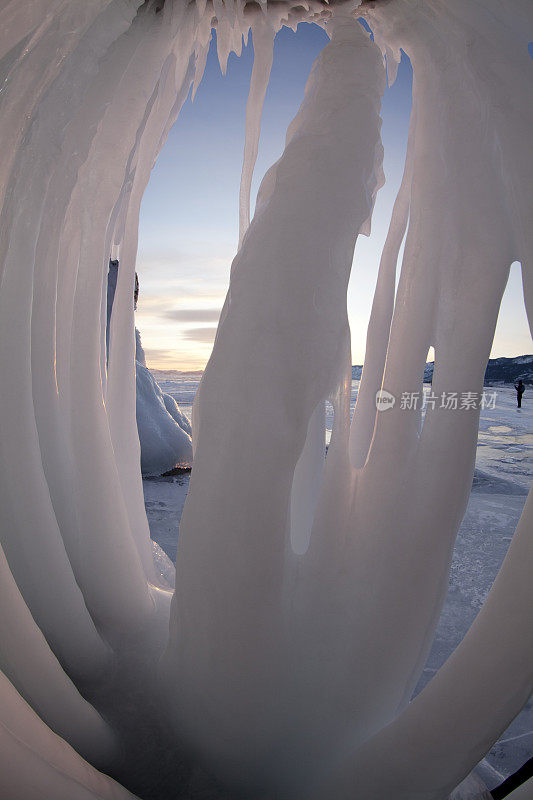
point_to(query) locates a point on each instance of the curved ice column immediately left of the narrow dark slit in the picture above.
(110, 546)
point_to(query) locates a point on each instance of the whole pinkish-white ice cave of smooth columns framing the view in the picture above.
(307, 589)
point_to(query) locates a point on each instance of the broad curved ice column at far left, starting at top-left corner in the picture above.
(40, 564)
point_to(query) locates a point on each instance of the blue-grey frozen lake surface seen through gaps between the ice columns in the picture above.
(503, 476)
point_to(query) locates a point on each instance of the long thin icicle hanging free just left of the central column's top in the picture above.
(263, 39)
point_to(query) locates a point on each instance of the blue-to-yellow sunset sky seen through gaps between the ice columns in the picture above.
(189, 216)
